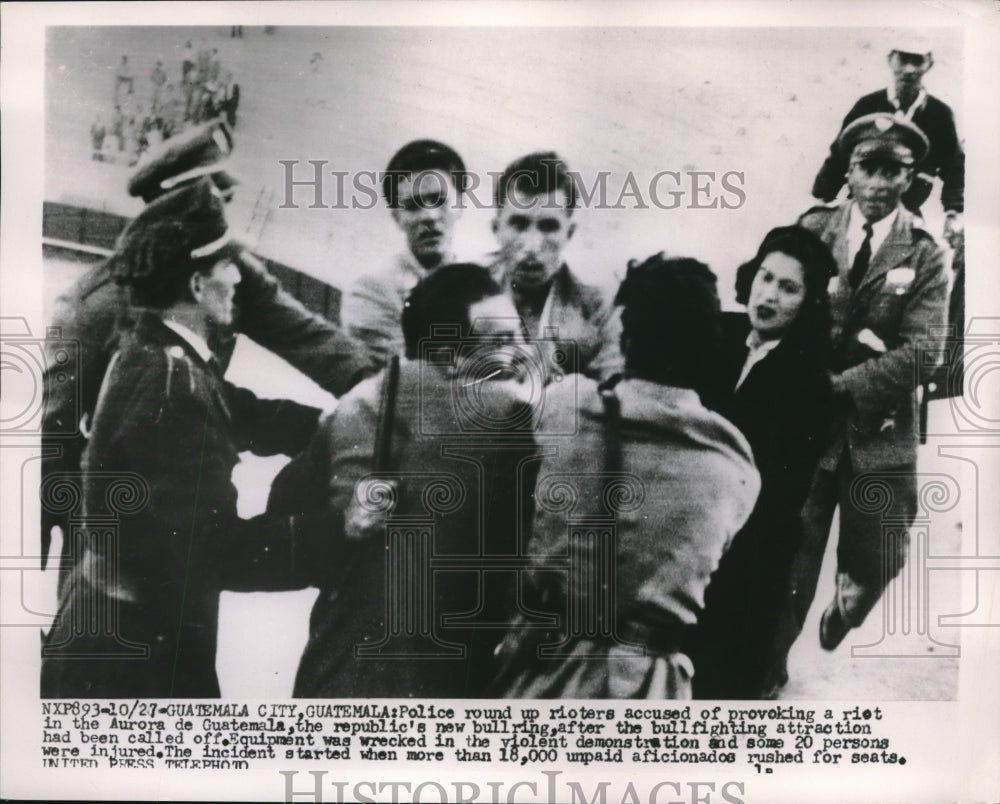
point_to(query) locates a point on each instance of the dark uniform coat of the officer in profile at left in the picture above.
(167, 426)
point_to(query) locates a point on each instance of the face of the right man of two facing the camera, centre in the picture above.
(533, 230)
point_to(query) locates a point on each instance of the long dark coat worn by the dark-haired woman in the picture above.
(784, 408)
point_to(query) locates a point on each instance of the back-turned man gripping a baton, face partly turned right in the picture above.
(440, 425)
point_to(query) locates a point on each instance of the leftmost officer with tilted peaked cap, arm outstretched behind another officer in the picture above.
(95, 309)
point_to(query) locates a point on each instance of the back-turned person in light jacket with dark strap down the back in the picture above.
(639, 491)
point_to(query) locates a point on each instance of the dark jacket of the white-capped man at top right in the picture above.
(946, 159)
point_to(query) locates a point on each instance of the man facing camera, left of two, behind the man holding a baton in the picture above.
(421, 186)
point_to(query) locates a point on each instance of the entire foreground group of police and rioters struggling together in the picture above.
(528, 488)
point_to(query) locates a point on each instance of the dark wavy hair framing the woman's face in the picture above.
(812, 324)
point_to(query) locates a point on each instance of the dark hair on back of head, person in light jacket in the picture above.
(670, 322)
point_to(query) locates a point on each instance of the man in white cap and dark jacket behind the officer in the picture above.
(905, 98)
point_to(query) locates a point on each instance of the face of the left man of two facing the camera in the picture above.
(426, 212)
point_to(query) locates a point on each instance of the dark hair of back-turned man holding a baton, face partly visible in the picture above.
(444, 297)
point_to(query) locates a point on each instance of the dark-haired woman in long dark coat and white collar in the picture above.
(774, 370)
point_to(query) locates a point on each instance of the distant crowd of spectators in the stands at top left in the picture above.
(143, 117)
